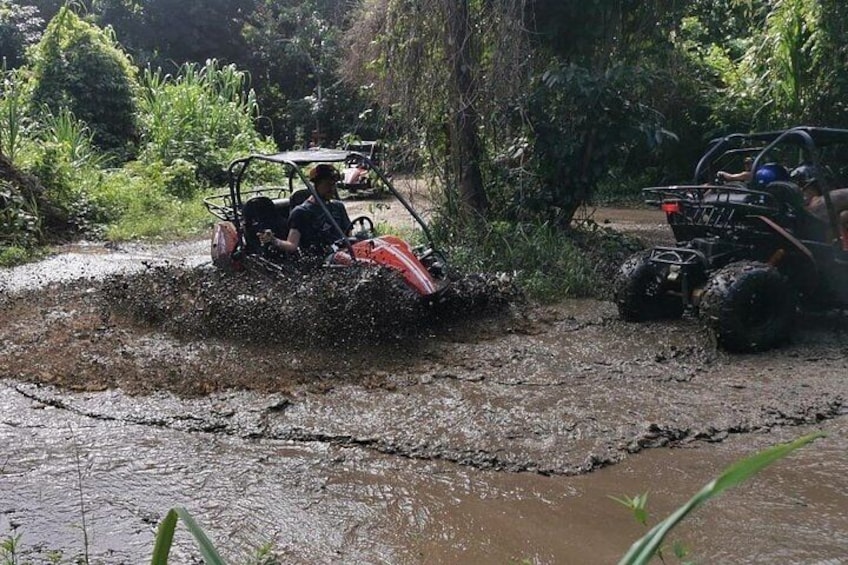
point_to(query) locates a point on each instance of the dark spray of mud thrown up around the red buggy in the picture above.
(311, 306)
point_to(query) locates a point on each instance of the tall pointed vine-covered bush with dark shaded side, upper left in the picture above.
(80, 68)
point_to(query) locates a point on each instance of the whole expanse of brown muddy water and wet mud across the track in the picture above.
(493, 436)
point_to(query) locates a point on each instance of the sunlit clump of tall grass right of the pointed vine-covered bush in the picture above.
(202, 117)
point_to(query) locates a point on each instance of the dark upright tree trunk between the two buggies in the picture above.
(464, 142)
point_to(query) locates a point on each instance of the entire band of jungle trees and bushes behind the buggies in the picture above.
(117, 115)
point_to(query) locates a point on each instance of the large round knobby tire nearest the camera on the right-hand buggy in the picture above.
(749, 306)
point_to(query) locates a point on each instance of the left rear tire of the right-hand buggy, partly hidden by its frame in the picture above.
(640, 294)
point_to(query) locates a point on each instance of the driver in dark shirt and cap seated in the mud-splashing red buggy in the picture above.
(309, 228)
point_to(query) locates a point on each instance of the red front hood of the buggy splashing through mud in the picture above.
(394, 253)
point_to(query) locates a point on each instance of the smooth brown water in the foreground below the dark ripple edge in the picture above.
(317, 502)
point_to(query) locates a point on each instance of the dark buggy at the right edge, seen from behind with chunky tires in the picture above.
(749, 255)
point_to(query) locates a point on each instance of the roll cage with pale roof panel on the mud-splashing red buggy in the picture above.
(294, 163)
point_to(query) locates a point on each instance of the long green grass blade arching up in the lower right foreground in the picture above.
(643, 550)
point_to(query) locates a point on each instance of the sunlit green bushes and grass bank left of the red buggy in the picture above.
(82, 158)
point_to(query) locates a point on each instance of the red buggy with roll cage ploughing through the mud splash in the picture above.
(243, 212)
